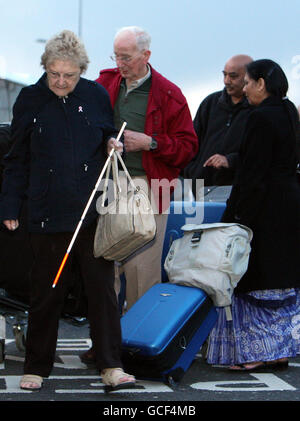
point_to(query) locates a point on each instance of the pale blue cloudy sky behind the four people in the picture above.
(191, 39)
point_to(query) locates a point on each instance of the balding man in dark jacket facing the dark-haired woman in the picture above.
(219, 124)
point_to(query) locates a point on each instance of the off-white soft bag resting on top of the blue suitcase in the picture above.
(212, 257)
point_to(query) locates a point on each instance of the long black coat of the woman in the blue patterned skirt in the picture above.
(266, 197)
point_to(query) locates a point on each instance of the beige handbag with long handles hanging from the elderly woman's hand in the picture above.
(127, 223)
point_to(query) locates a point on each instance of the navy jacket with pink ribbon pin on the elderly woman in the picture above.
(59, 150)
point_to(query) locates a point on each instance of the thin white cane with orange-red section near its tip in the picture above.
(86, 209)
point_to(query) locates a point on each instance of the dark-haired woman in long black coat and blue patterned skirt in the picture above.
(263, 332)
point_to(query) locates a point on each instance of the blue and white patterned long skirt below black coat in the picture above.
(265, 326)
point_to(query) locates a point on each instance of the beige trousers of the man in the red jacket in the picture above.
(143, 270)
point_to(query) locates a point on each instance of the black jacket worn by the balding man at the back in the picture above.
(219, 125)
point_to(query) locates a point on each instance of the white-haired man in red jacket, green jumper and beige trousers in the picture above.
(159, 141)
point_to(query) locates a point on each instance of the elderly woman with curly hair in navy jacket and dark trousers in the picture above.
(63, 132)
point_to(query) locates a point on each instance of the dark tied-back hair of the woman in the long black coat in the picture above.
(273, 75)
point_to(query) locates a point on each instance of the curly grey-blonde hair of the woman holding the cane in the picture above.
(65, 46)
